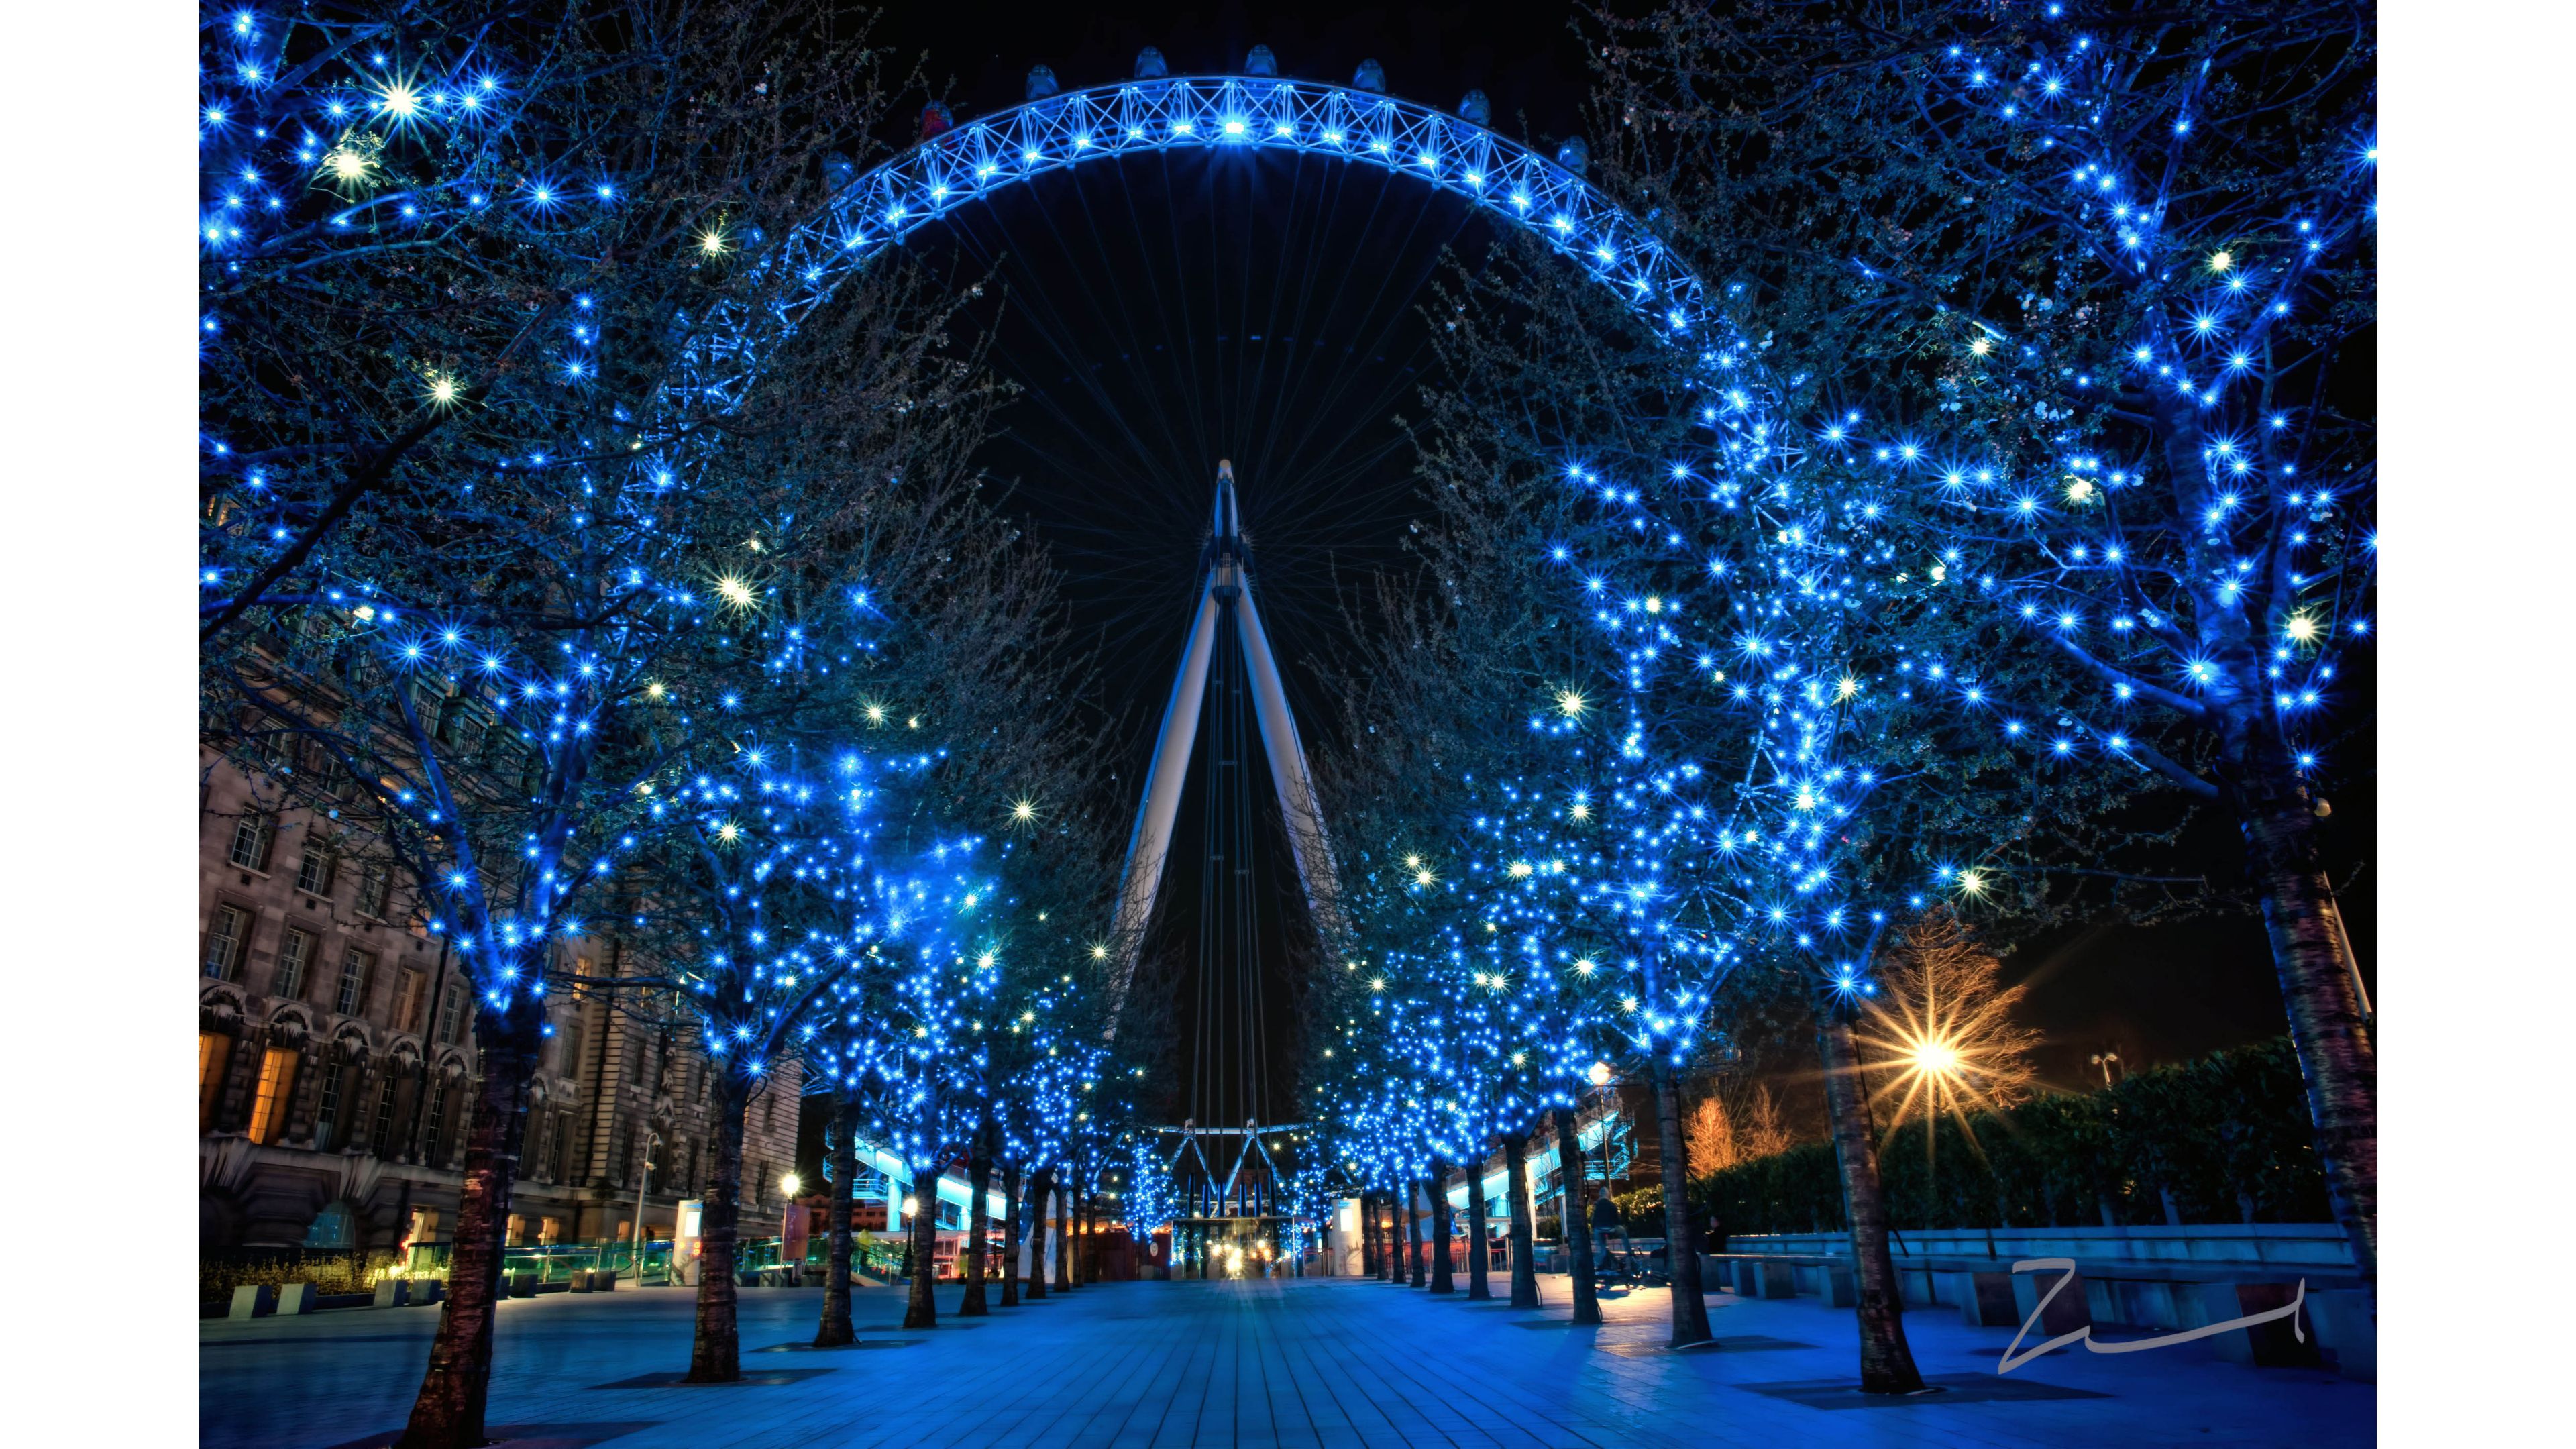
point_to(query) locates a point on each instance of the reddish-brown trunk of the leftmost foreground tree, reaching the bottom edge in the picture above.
(450, 1409)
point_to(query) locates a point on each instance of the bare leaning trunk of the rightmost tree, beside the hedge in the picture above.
(2320, 994)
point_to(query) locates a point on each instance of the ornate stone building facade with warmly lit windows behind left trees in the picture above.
(336, 1066)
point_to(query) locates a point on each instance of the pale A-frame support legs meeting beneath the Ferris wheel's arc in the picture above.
(1225, 594)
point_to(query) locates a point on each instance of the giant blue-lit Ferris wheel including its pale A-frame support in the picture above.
(1184, 269)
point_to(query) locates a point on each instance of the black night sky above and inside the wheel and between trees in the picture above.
(1163, 313)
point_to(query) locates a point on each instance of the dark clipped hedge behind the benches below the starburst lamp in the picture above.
(2224, 1138)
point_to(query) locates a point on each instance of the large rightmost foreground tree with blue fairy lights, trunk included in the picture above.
(2101, 295)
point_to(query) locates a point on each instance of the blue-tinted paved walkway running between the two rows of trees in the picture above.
(1331, 1363)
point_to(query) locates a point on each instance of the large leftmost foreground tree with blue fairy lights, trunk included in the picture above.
(470, 563)
